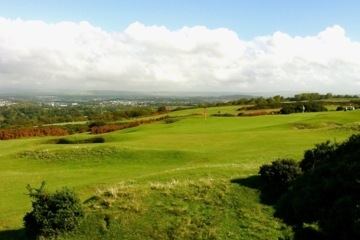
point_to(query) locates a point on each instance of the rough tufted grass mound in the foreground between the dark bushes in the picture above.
(188, 209)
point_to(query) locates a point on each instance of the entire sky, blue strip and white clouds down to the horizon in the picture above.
(232, 46)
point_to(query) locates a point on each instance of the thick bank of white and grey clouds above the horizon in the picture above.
(66, 55)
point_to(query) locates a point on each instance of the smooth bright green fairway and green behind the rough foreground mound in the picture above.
(190, 149)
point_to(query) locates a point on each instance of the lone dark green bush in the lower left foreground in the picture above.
(52, 212)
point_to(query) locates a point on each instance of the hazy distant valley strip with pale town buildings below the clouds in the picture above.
(112, 98)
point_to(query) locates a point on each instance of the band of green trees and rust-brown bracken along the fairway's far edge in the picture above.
(26, 119)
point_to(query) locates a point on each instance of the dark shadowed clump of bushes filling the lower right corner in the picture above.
(323, 189)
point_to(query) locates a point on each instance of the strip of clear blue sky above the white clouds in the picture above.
(247, 18)
